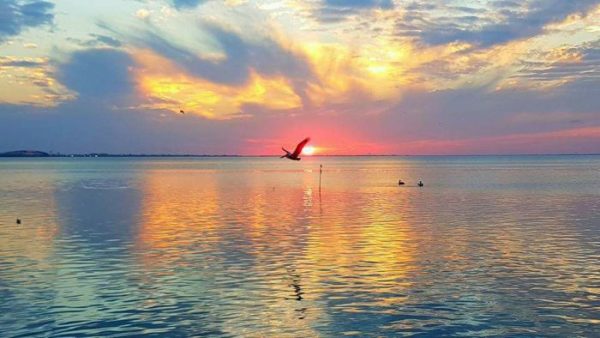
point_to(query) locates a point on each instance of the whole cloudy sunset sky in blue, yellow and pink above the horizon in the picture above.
(358, 76)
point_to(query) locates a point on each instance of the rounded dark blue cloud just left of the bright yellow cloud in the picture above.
(98, 73)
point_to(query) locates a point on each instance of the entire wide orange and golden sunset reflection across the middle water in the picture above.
(361, 244)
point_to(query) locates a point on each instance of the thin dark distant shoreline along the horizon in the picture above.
(41, 154)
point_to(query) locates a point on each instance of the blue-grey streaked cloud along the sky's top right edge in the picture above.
(515, 23)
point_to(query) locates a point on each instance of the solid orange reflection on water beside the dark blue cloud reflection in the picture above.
(172, 207)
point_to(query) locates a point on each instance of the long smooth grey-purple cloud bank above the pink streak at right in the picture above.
(471, 113)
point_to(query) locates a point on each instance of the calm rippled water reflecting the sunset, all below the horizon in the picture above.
(497, 246)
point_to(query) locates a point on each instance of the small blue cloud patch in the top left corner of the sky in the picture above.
(16, 16)
